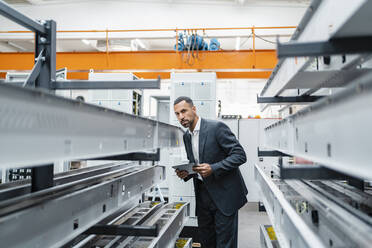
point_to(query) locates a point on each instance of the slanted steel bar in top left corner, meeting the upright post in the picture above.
(20, 18)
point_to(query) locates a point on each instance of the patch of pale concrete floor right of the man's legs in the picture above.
(249, 223)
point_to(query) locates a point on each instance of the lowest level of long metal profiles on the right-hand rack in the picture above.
(316, 213)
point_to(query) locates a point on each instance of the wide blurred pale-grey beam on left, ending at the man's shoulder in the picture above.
(65, 129)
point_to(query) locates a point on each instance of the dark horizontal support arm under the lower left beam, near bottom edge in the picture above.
(123, 230)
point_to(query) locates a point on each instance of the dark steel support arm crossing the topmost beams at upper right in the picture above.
(349, 45)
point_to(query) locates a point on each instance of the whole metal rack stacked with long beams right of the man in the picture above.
(325, 68)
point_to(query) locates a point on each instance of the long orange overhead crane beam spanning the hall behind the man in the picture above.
(151, 60)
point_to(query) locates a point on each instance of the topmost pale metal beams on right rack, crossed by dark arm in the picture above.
(349, 19)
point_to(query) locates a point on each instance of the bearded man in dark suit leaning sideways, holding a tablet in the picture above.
(219, 187)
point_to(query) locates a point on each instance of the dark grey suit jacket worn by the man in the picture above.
(219, 147)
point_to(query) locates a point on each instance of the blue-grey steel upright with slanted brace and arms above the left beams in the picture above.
(43, 75)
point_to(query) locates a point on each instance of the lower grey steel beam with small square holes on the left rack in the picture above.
(56, 221)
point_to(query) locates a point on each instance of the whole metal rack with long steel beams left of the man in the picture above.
(38, 128)
